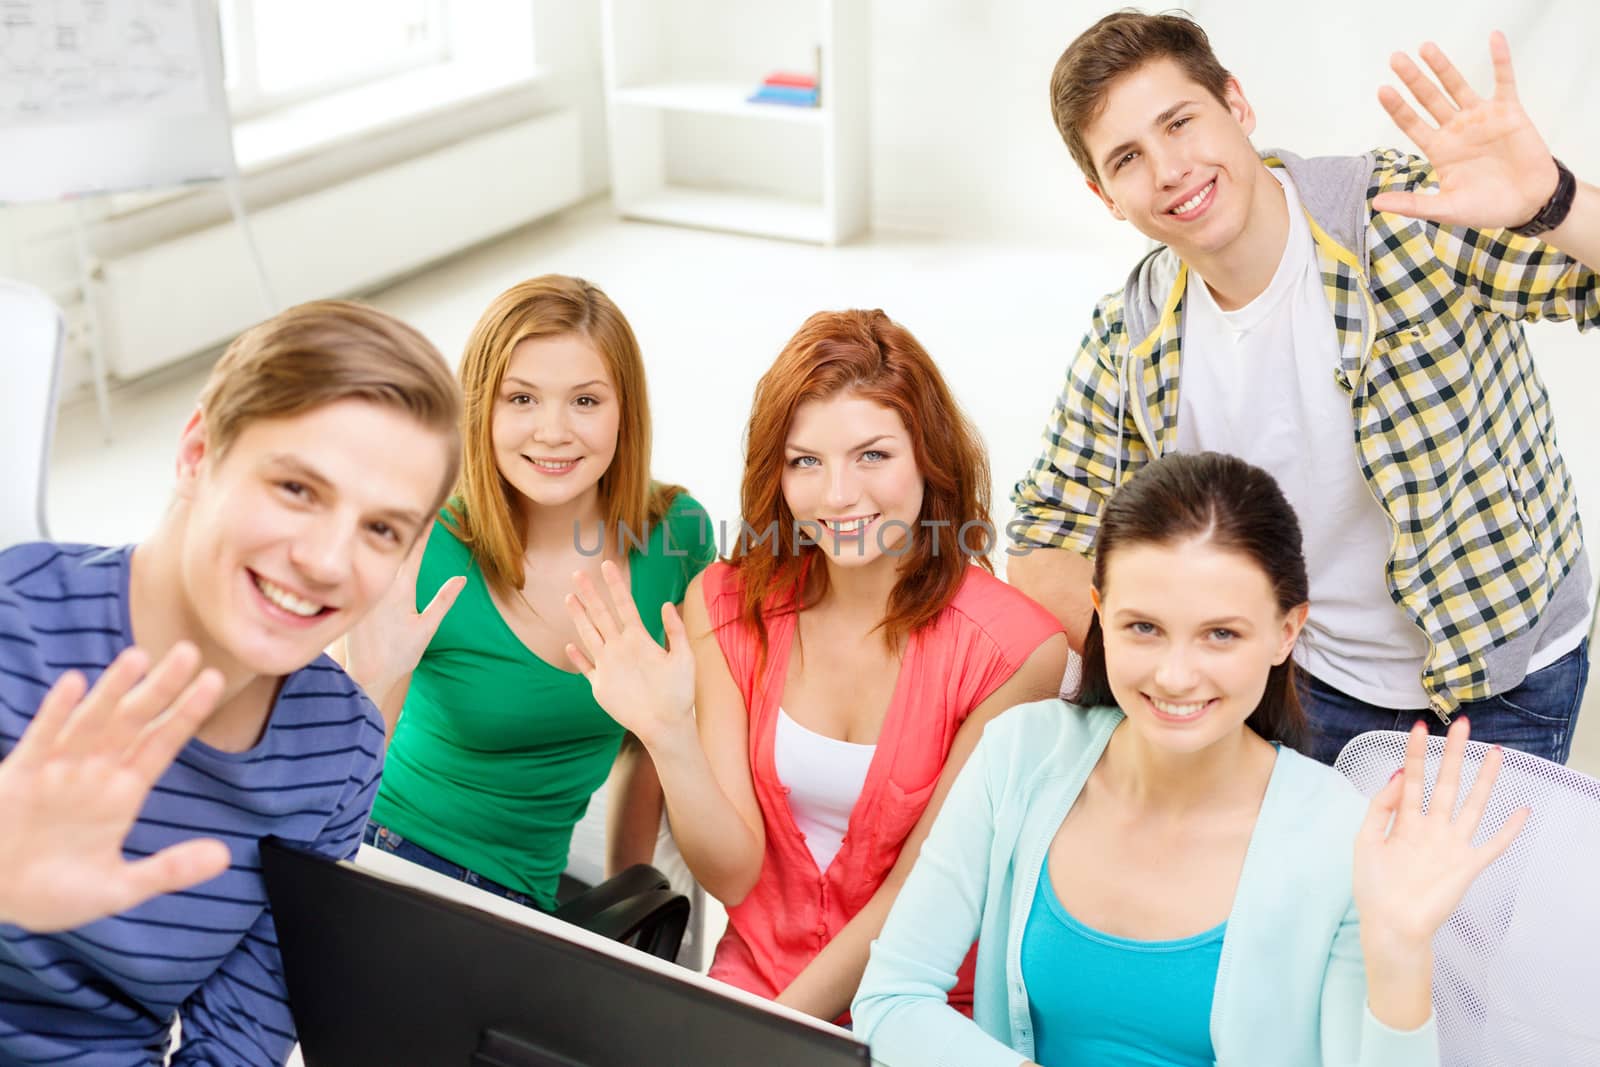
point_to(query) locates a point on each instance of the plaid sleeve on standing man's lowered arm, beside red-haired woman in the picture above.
(1090, 438)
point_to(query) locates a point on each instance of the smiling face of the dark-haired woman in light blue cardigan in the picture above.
(1191, 634)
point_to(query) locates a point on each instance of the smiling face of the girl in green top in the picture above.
(556, 422)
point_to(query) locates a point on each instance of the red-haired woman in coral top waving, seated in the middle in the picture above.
(831, 677)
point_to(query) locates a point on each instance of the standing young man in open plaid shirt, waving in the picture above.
(1351, 326)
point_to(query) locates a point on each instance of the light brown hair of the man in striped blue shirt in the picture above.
(324, 353)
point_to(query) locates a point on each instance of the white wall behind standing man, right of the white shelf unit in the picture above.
(961, 116)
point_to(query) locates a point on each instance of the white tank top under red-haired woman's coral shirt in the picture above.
(825, 778)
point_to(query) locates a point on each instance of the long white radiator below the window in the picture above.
(196, 292)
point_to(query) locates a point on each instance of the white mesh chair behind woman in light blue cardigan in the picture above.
(1518, 965)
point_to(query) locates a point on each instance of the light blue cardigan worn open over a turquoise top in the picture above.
(1290, 988)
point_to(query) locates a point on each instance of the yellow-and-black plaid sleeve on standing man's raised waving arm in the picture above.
(1502, 273)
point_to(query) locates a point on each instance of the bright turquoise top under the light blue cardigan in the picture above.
(1108, 1001)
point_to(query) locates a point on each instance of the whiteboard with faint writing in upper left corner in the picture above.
(110, 95)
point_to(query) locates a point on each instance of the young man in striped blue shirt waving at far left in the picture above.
(316, 460)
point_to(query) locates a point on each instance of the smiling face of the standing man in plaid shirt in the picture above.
(1175, 161)
